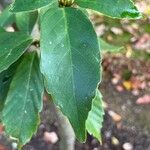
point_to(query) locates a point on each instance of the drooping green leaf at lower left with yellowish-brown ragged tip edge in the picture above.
(24, 100)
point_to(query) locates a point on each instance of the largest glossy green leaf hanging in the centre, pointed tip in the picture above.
(70, 63)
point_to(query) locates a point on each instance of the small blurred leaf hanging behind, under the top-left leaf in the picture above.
(26, 20)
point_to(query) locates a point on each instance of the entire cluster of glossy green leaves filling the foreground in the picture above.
(66, 64)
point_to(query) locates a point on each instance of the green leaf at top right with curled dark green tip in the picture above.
(112, 8)
